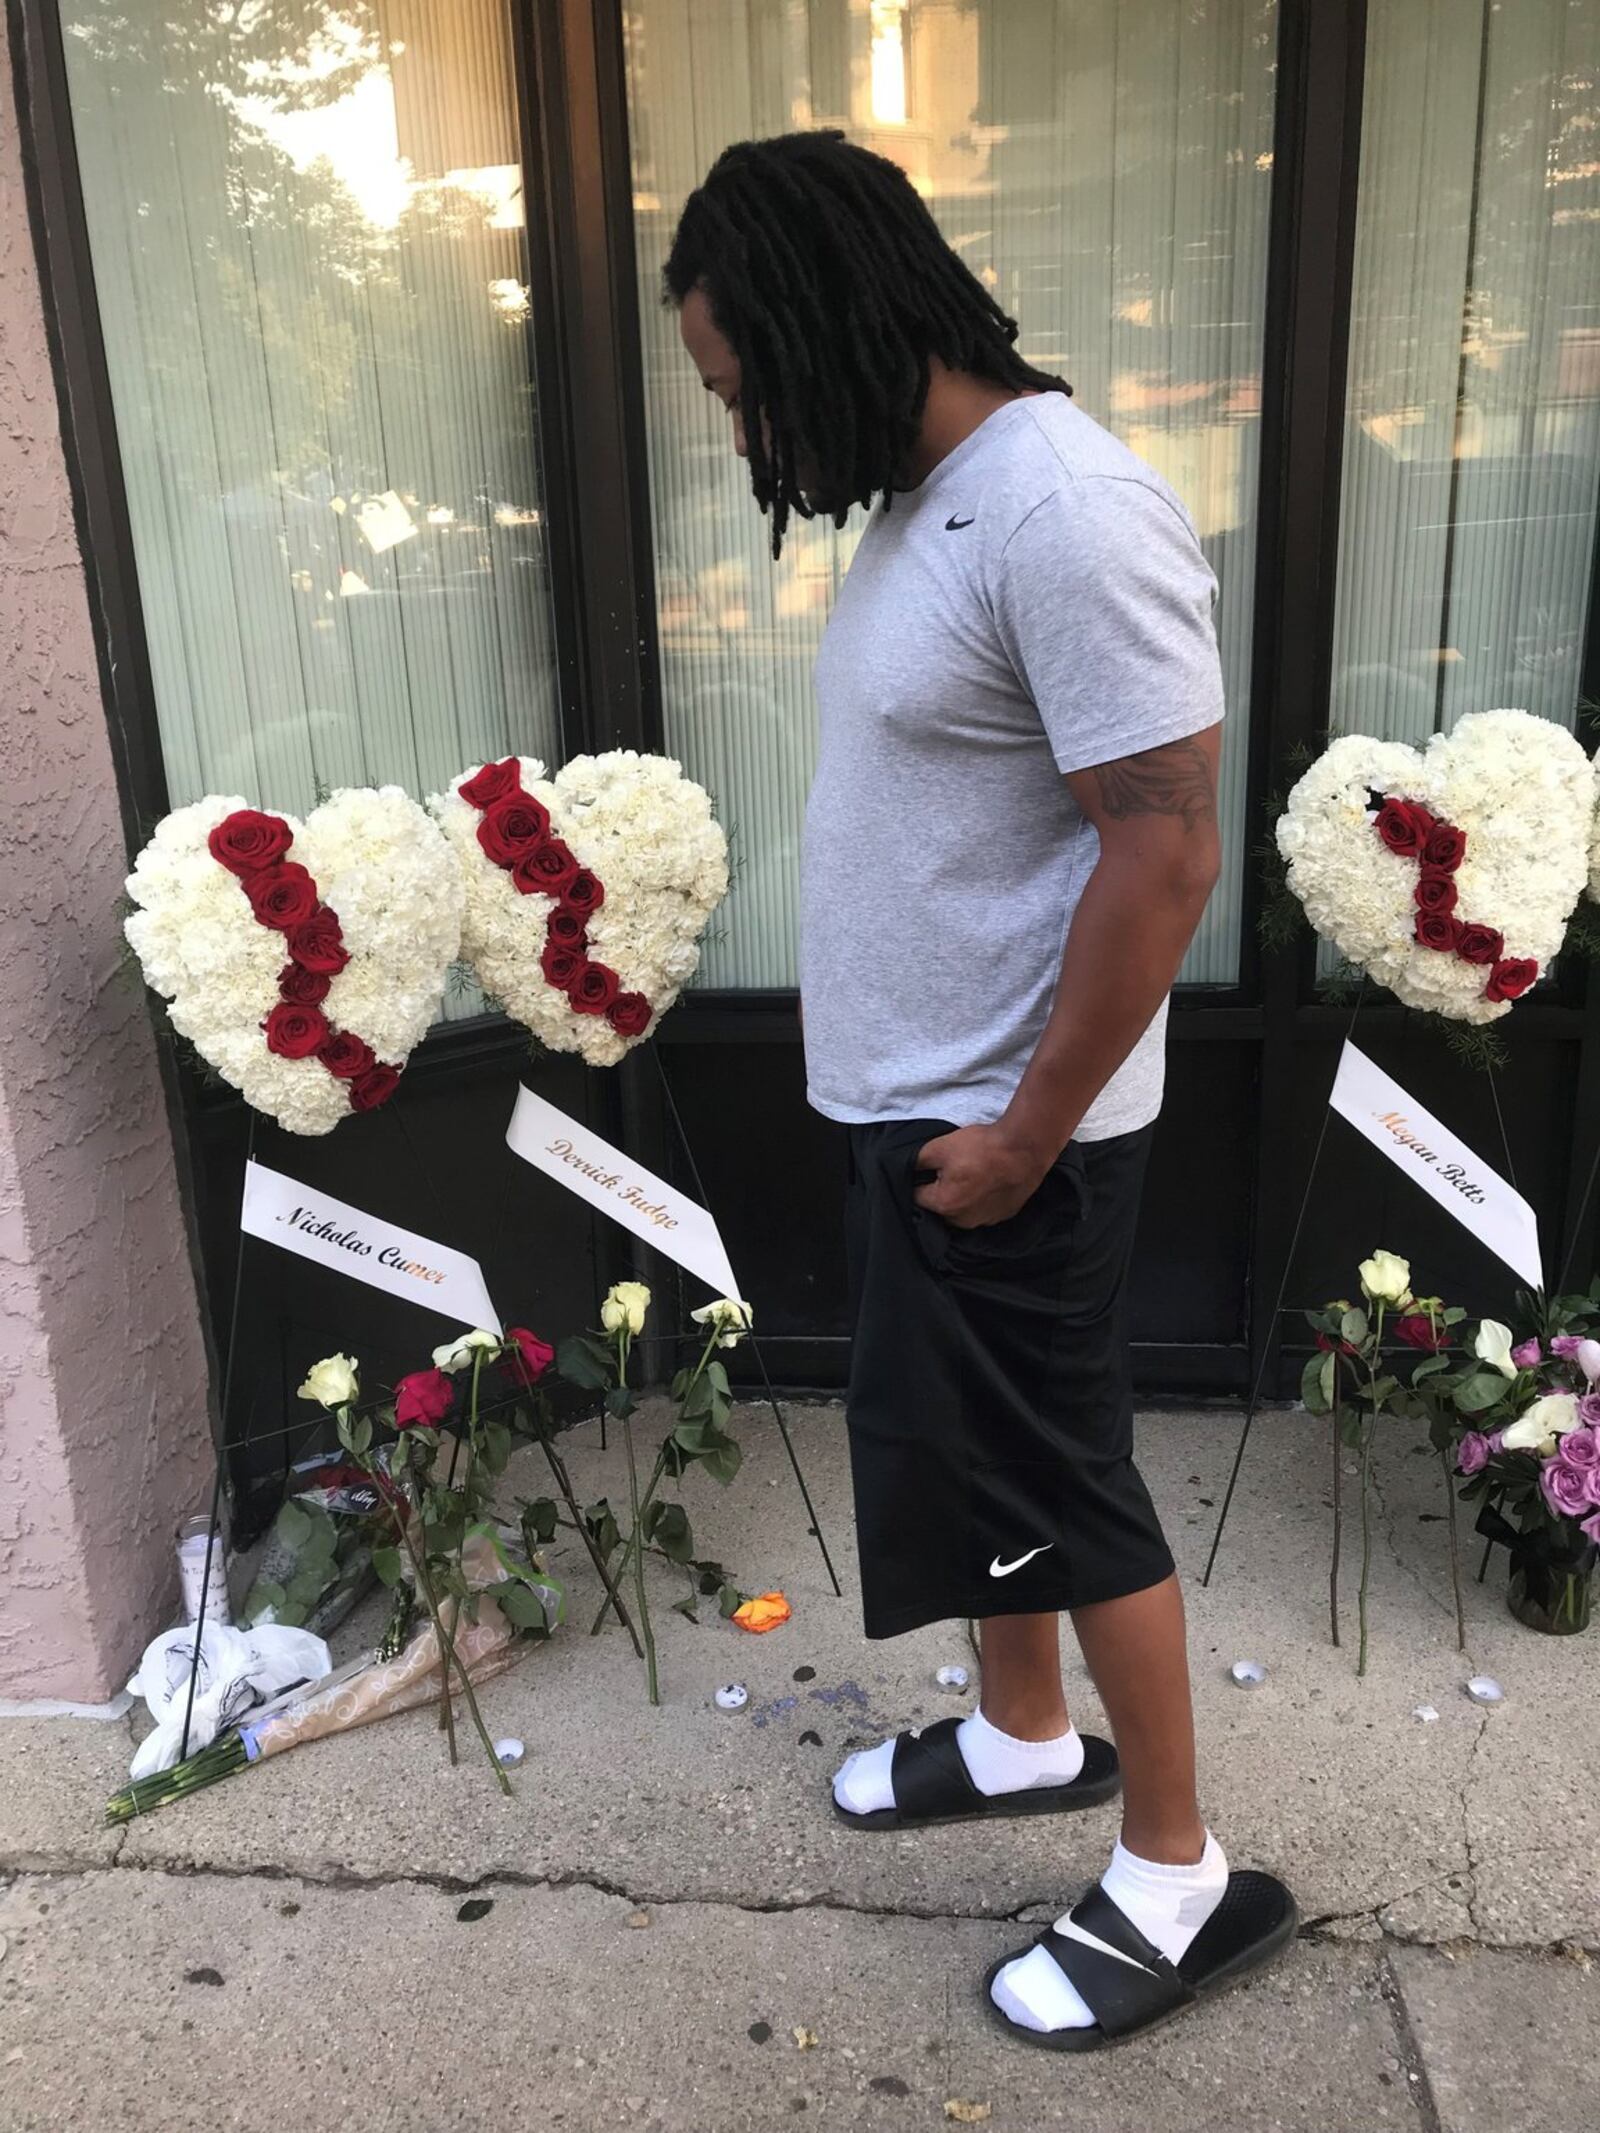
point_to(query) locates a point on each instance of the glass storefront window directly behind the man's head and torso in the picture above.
(1106, 167)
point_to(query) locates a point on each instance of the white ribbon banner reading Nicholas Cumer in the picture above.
(281, 1210)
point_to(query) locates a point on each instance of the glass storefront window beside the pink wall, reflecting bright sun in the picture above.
(308, 242)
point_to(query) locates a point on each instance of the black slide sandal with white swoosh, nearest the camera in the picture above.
(1253, 1923)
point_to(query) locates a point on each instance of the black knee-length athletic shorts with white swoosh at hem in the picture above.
(991, 1413)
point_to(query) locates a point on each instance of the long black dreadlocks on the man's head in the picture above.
(835, 289)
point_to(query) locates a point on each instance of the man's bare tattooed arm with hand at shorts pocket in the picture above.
(1155, 873)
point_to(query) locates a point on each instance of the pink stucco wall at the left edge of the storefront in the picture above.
(103, 1375)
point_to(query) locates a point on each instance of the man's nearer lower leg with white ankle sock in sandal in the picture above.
(1168, 1874)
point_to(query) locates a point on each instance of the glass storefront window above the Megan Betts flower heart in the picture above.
(1473, 408)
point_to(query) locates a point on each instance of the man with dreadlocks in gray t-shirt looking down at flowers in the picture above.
(1010, 841)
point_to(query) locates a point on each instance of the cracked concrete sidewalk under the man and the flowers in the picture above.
(673, 1914)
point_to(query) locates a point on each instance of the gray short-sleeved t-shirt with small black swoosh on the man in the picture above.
(1040, 605)
